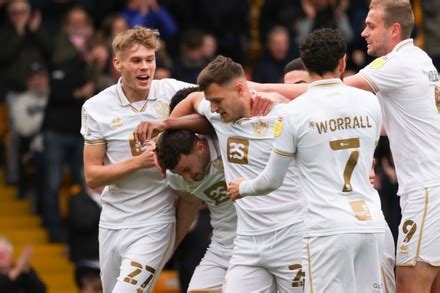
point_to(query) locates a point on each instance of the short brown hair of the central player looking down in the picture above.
(220, 71)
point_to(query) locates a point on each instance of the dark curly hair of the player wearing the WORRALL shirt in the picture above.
(321, 50)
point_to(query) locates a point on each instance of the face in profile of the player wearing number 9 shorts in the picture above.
(376, 33)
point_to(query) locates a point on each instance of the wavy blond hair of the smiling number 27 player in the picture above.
(137, 35)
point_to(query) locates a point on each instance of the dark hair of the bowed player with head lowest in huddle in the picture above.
(172, 144)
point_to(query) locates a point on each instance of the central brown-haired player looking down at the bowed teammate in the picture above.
(267, 249)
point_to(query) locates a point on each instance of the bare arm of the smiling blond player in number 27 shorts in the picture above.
(97, 174)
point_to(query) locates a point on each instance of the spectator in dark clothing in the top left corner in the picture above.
(24, 42)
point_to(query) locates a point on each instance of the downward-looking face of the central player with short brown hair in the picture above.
(226, 100)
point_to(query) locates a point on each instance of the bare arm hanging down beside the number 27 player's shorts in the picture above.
(186, 212)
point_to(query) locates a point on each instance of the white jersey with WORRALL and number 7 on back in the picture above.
(332, 131)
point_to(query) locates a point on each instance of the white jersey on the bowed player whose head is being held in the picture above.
(212, 190)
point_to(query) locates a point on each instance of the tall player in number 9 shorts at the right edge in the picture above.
(407, 85)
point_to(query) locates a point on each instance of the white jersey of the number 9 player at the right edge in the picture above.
(408, 88)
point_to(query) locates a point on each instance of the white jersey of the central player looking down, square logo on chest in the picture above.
(245, 146)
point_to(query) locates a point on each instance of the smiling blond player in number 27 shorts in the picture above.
(137, 225)
